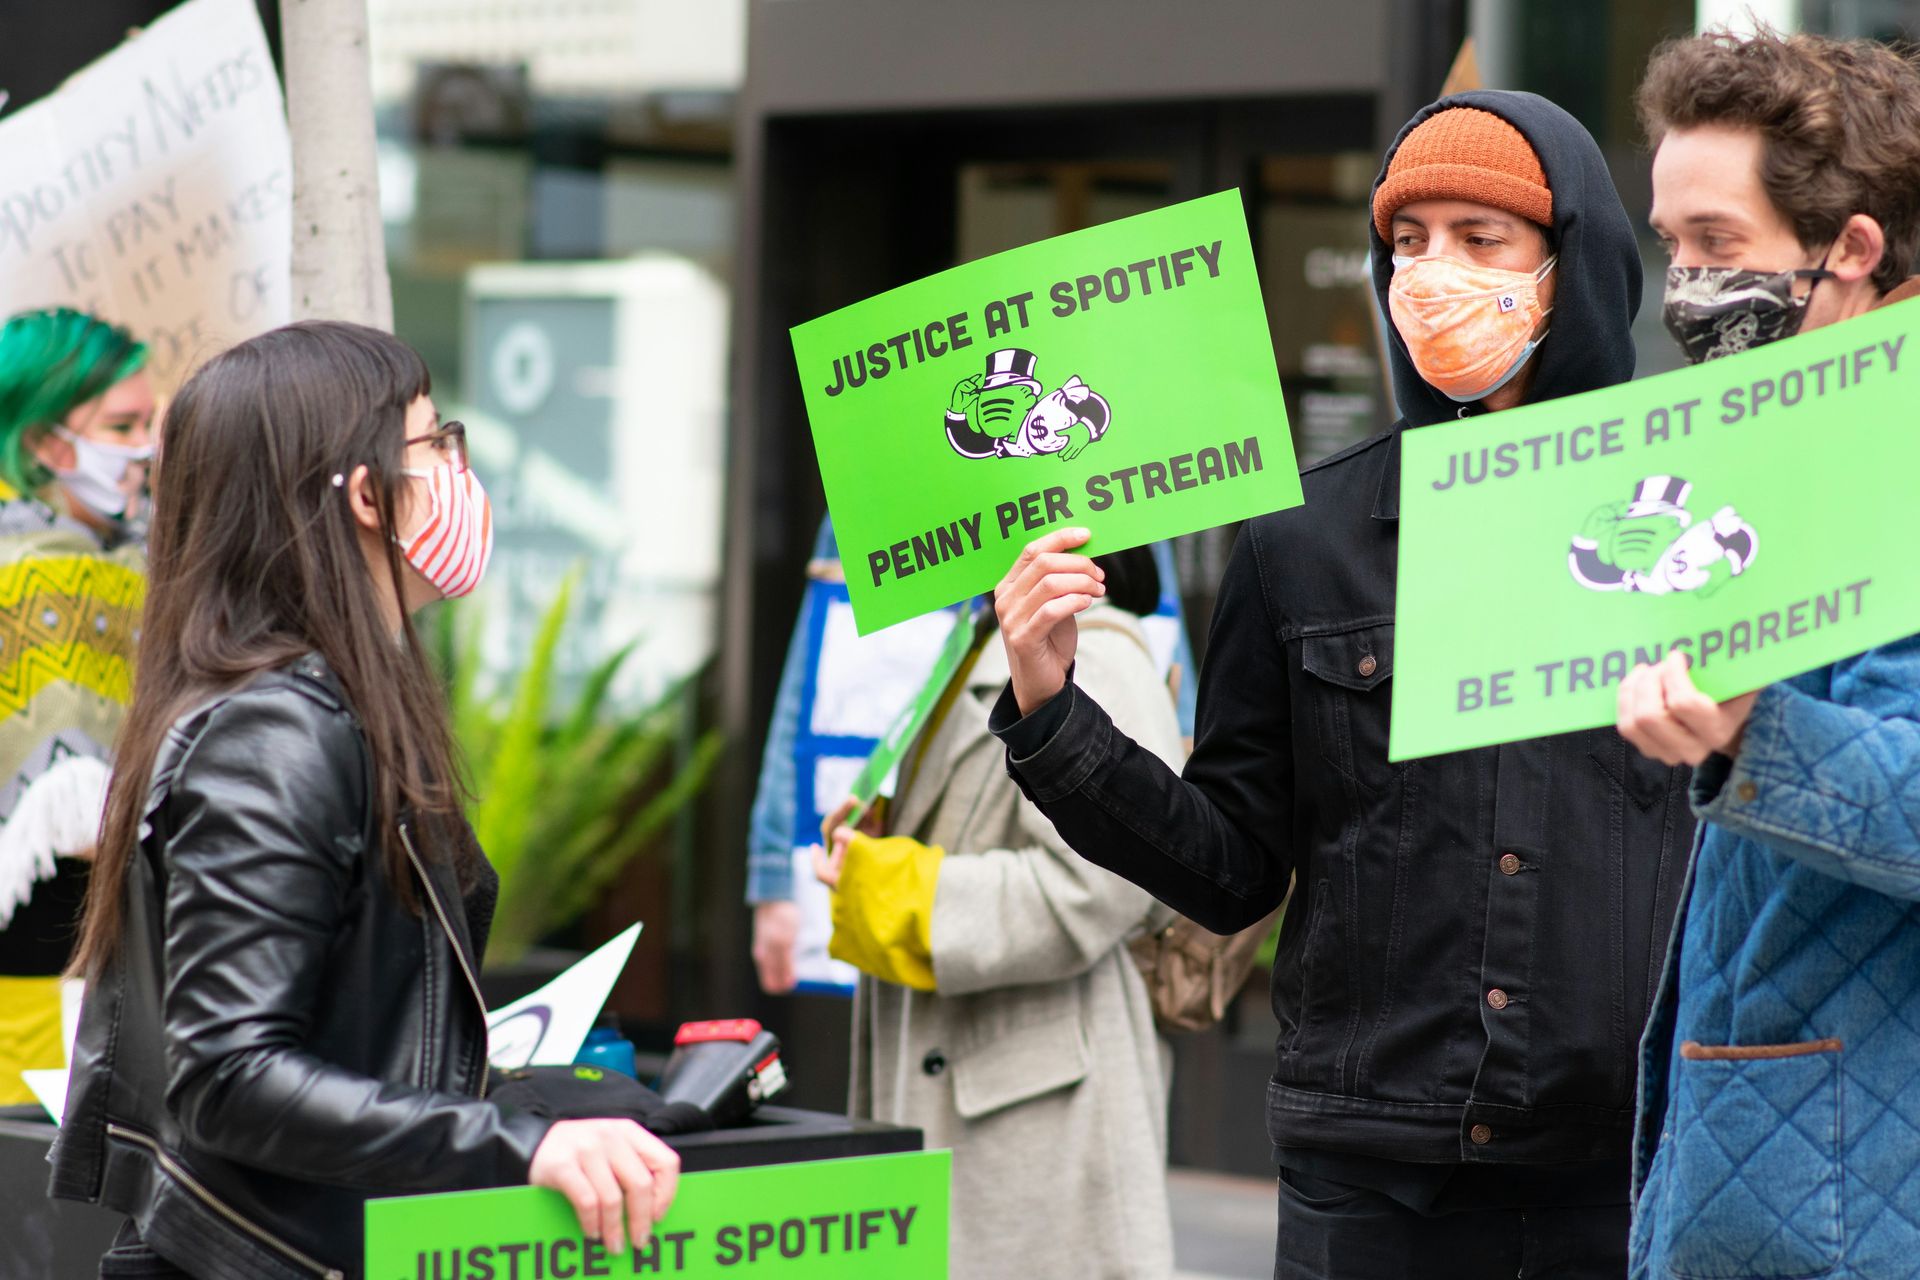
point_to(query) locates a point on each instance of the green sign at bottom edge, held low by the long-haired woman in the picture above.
(852, 1220)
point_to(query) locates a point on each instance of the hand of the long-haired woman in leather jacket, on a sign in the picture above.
(606, 1168)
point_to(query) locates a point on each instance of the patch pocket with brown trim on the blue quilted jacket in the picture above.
(1756, 1137)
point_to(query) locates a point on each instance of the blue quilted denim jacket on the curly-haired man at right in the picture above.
(1781, 1070)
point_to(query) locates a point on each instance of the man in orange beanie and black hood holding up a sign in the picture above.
(1474, 939)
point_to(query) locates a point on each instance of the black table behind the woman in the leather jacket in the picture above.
(59, 1241)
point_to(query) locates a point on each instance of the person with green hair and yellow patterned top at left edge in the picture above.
(76, 439)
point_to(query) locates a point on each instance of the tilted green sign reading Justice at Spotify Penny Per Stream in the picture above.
(1116, 379)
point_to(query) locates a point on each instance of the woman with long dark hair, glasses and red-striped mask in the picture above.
(287, 909)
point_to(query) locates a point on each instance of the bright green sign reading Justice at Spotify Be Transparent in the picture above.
(1752, 513)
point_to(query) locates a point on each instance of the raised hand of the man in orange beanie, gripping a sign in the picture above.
(1038, 604)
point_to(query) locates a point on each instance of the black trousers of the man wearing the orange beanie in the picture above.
(1332, 1231)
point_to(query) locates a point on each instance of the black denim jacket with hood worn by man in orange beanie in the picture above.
(1474, 939)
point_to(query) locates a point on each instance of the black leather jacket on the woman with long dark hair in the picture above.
(279, 1039)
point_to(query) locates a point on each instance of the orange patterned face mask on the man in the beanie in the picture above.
(1468, 329)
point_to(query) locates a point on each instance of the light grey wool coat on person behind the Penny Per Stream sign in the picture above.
(1036, 1058)
